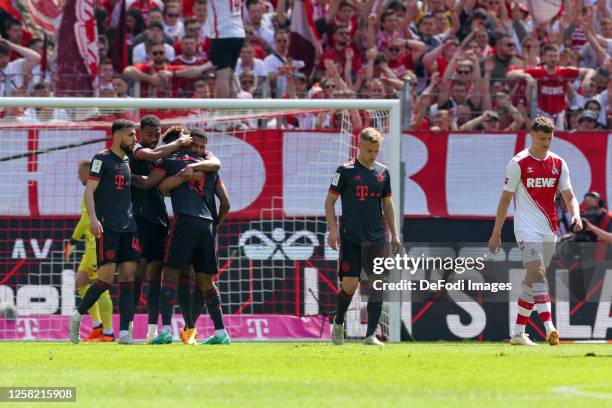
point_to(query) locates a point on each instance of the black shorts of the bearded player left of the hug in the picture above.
(117, 247)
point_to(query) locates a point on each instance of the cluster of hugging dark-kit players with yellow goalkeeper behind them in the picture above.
(130, 232)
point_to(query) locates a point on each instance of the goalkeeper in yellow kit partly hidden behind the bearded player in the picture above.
(102, 311)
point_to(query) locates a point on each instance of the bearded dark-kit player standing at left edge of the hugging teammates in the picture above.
(111, 221)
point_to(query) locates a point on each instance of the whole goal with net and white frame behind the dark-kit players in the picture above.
(277, 275)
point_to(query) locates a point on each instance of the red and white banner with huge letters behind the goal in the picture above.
(275, 173)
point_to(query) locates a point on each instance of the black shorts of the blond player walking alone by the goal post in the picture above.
(355, 262)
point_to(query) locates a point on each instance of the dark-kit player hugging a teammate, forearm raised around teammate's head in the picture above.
(150, 212)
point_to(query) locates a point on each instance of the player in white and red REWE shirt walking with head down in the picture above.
(533, 177)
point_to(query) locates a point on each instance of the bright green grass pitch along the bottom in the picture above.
(315, 374)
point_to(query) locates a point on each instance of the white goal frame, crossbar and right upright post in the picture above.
(391, 145)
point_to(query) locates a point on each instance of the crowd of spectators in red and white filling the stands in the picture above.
(471, 64)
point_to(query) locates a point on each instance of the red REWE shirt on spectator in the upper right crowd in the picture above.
(552, 87)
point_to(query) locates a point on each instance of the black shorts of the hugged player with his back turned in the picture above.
(191, 241)
